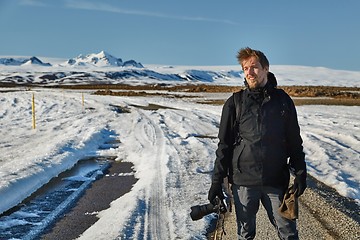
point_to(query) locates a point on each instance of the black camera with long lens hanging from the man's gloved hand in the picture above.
(199, 211)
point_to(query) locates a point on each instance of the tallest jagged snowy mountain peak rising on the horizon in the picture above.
(101, 59)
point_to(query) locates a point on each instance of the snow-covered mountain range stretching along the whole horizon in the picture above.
(103, 68)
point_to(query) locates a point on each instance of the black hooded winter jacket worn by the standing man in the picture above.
(270, 134)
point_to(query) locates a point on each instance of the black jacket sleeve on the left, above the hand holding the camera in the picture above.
(226, 141)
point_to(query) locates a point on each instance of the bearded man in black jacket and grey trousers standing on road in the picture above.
(257, 149)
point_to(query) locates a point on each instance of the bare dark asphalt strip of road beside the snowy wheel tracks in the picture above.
(102, 192)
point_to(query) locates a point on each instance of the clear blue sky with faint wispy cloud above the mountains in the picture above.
(185, 32)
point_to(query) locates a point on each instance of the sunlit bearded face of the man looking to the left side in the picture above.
(255, 74)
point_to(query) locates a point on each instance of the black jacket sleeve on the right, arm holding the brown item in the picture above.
(294, 141)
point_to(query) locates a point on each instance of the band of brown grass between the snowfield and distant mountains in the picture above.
(302, 95)
